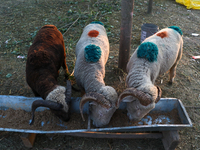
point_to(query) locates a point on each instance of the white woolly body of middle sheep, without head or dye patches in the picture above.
(90, 75)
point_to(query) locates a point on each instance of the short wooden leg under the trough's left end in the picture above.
(28, 139)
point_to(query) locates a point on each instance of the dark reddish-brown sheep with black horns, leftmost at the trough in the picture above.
(45, 57)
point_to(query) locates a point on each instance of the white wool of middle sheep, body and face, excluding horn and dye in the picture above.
(90, 76)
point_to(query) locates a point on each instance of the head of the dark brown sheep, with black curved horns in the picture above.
(58, 101)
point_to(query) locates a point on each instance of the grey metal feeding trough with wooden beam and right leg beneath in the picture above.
(168, 132)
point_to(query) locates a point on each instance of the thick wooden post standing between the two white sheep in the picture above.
(125, 32)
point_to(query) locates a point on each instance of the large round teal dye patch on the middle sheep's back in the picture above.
(92, 53)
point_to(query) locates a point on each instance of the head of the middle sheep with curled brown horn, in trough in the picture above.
(102, 105)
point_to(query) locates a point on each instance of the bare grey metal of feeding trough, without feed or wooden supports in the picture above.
(164, 105)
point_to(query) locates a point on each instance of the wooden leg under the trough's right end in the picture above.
(170, 139)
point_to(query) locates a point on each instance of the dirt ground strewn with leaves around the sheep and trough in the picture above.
(19, 22)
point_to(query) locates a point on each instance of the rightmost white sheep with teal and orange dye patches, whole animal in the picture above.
(156, 55)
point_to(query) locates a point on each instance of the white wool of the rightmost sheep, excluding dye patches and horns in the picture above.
(142, 73)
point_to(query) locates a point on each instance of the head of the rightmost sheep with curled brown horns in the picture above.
(140, 102)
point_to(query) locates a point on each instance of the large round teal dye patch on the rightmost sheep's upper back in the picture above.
(148, 50)
